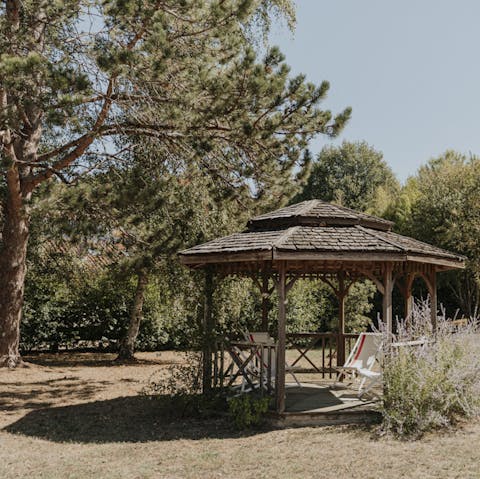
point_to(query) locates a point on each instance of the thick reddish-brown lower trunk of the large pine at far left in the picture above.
(12, 272)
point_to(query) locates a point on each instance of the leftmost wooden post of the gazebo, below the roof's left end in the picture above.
(208, 326)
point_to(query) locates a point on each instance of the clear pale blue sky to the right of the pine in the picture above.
(410, 70)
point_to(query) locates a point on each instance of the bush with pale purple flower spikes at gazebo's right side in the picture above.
(433, 385)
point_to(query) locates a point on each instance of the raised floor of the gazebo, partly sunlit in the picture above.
(321, 405)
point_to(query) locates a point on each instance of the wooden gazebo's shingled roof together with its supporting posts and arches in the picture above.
(319, 240)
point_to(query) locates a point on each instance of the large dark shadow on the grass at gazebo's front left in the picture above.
(124, 419)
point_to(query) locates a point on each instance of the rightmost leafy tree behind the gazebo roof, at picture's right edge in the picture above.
(441, 205)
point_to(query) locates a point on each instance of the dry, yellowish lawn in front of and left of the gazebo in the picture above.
(81, 416)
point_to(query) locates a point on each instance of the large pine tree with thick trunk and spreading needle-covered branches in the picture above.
(75, 74)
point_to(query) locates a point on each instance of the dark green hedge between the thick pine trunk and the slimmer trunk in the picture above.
(73, 311)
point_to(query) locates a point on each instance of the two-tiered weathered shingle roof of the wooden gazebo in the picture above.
(316, 230)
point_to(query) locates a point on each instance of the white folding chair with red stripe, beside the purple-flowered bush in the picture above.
(360, 362)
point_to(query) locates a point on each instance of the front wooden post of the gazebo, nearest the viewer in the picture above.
(280, 366)
